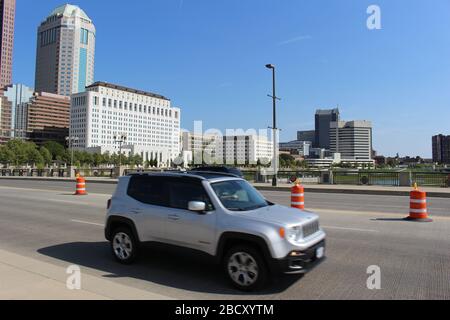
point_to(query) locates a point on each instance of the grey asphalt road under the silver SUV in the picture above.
(45, 221)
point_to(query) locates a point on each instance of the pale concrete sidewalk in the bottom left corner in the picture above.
(23, 278)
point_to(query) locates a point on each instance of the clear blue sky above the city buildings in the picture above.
(208, 57)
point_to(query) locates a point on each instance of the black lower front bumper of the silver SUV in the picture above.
(303, 262)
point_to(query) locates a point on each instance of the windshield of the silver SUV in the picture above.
(238, 195)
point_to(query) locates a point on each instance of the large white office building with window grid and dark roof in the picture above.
(106, 112)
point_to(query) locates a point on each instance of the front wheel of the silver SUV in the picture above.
(261, 267)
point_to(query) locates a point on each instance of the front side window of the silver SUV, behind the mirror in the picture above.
(182, 192)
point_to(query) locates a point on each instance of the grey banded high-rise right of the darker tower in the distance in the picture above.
(352, 139)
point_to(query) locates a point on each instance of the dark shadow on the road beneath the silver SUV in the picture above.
(167, 266)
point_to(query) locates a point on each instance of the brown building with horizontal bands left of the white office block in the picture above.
(48, 117)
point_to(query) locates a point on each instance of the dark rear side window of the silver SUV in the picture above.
(149, 190)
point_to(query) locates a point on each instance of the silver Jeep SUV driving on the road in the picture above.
(215, 213)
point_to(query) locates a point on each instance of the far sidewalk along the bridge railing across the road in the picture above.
(434, 192)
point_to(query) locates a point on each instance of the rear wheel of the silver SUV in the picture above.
(130, 242)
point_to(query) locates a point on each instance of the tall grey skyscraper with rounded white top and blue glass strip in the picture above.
(65, 52)
